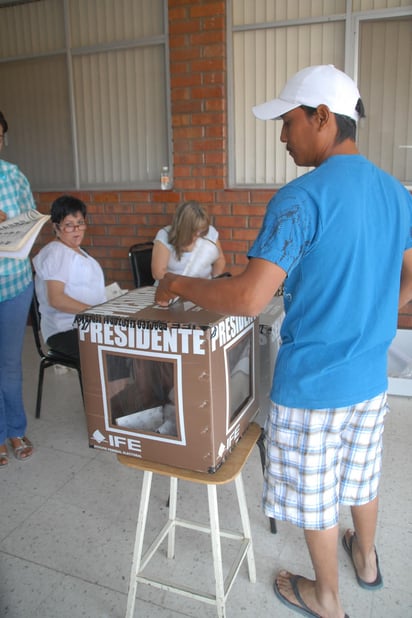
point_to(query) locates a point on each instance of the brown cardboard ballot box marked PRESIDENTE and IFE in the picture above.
(172, 385)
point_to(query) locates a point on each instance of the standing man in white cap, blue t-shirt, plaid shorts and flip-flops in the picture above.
(340, 238)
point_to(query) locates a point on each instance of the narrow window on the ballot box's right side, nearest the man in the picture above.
(240, 369)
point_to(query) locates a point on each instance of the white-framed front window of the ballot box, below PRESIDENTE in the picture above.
(141, 394)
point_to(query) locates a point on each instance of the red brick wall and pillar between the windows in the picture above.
(117, 219)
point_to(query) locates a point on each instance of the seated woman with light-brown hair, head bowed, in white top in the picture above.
(189, 246)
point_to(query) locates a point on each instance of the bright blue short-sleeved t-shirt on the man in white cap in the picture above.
(339, 232)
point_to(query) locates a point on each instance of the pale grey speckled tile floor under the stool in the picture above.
(68, 516)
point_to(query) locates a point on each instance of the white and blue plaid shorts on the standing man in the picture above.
(318, 459)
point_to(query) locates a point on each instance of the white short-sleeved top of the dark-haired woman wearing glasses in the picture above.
(83, 280)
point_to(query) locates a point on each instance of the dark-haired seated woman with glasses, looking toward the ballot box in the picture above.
(68, 280)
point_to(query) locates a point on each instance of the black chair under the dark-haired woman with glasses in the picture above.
(49, 357)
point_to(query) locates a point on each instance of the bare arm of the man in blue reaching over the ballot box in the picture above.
(245, 294)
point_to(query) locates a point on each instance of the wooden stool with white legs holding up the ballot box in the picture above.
(230, 471)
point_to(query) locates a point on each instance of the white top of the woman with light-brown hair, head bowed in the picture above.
(196, 263)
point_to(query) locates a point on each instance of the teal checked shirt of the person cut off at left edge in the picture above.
(15, 198)
